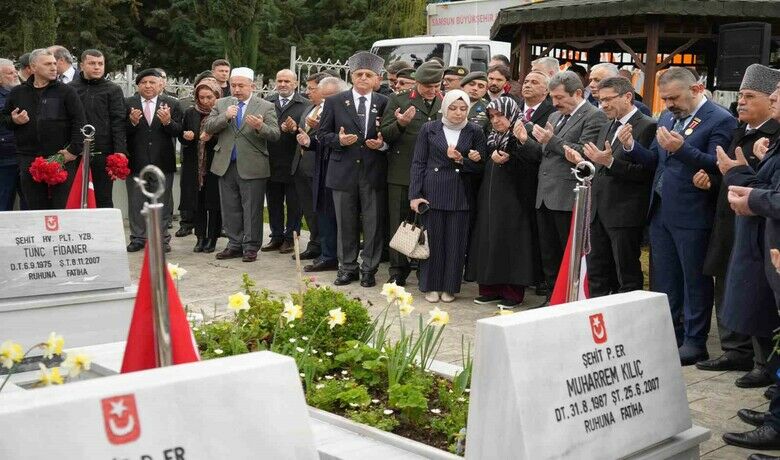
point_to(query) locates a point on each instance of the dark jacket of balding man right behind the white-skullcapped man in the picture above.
(282, 151)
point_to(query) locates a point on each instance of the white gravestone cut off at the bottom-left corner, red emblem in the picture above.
(242, 407)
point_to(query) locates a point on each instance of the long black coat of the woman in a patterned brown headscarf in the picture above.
(189, 165)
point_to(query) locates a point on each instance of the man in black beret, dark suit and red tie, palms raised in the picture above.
(154, 122)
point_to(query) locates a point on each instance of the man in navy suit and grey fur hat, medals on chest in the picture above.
(357, 170)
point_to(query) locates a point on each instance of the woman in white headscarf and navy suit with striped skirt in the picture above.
(446, 150)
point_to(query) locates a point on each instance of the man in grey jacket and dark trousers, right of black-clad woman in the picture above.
(575, 123)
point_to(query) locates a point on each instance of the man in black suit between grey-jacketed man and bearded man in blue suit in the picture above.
(620, 192)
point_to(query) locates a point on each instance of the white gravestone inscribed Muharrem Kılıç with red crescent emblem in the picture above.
(595, 379)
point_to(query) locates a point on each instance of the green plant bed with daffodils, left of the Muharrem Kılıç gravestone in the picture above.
(348, 363)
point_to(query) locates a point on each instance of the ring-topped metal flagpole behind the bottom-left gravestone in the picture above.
(152, 176)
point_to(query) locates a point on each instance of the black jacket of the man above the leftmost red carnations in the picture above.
(56, 118)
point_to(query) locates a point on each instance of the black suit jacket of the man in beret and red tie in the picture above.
(153, 144)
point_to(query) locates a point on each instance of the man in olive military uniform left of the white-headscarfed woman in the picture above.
(406, 112)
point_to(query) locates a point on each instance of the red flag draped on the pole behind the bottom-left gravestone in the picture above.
(140, 349)
